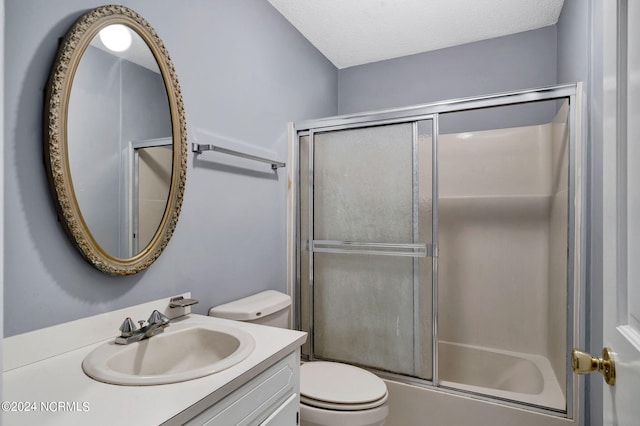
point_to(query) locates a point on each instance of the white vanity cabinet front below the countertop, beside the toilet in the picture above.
(272, 398)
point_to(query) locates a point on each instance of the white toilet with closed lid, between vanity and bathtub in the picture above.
(331, 393)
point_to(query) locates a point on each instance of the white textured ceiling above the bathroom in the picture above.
(355, 32)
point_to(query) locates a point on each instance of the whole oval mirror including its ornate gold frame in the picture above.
(115, 140)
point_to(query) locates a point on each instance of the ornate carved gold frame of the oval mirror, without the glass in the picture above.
(58, 92)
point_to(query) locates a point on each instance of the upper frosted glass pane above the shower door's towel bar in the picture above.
(363, 184)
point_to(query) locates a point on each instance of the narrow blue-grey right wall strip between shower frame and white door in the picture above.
(580, 58)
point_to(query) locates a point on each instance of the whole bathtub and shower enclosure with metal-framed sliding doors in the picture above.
(437, 246)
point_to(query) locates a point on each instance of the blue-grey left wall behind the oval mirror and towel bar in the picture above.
(244, 73)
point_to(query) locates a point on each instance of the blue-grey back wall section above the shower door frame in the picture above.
(514, 62)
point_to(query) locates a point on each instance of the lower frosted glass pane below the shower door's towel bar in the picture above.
(358, 310)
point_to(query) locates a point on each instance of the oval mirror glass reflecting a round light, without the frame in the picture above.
(120, 141)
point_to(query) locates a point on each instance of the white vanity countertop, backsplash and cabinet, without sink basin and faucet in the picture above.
(262, 389)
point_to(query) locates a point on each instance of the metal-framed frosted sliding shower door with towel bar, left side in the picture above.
(366, 232)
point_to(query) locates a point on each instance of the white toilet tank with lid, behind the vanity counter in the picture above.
(268, 308)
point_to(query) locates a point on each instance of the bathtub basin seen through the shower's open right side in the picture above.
(503, 374)
